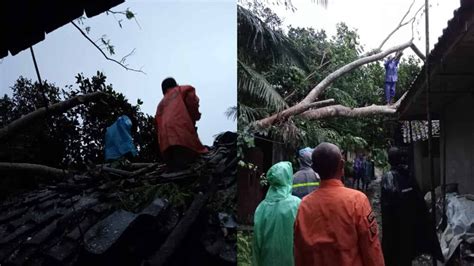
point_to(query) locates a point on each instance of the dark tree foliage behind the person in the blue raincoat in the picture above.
(76, 137)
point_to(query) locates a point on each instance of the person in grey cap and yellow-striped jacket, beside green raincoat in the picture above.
(306, 179)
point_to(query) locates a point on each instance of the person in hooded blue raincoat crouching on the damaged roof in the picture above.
(118, 139)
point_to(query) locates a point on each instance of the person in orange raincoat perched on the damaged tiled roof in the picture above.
(176, 117)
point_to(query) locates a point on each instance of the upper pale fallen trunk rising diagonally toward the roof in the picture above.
(325, 83)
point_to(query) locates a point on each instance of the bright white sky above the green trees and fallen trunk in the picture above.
(374, 19)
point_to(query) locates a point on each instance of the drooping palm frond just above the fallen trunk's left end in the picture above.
(258, 88)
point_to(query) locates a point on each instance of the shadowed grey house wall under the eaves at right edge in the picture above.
(458, 125)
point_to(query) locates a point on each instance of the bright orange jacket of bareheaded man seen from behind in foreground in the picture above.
(335, 226)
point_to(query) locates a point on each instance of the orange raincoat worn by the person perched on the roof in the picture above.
(176, 117)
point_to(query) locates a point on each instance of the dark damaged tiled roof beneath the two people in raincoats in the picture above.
(88, 218)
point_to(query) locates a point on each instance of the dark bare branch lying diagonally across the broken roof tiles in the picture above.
(180, 231)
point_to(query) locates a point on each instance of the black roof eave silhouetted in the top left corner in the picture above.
(25, 22)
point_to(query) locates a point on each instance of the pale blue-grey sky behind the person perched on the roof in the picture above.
(193, 41)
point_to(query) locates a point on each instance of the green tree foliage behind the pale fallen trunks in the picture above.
(314, 55)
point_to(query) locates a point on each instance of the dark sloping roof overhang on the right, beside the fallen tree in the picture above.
(451, 61)
